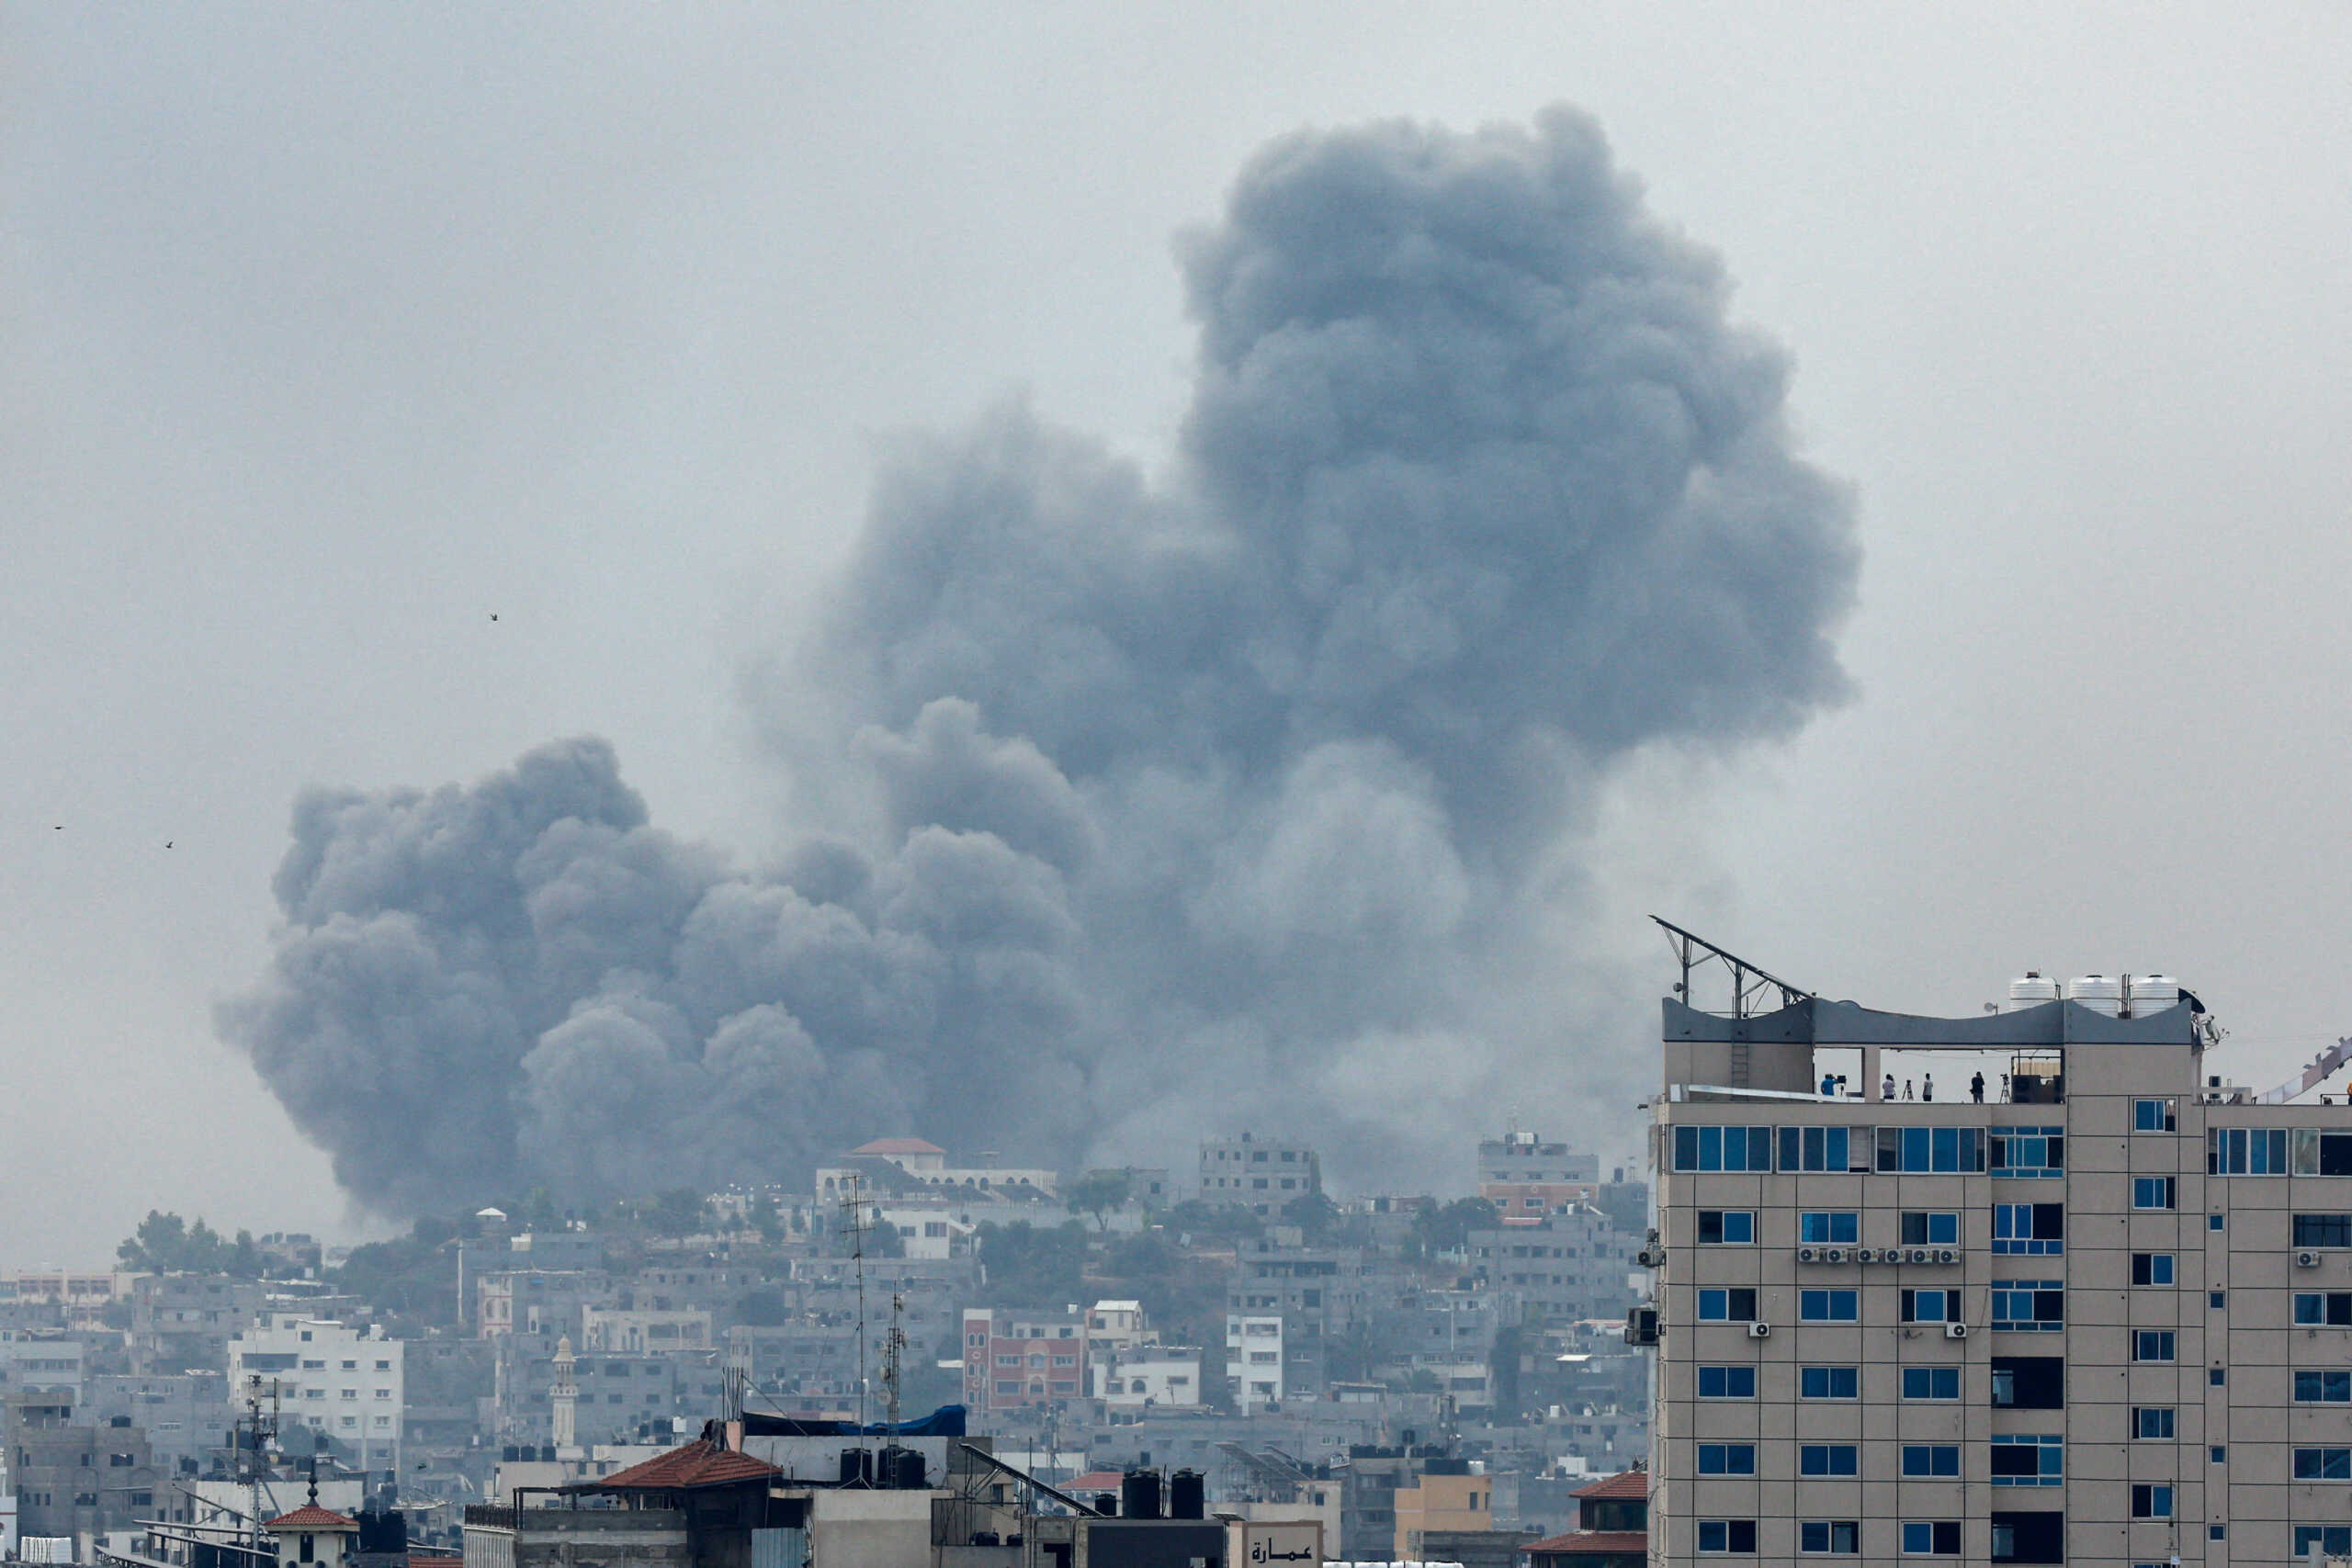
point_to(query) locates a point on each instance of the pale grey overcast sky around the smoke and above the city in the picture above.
(328, 335)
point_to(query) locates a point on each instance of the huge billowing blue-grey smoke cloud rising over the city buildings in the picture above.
(1142, 805)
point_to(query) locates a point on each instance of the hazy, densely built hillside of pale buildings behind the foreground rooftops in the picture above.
(1422, 1376)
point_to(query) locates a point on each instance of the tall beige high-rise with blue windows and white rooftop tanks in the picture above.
(2097, 1315)
